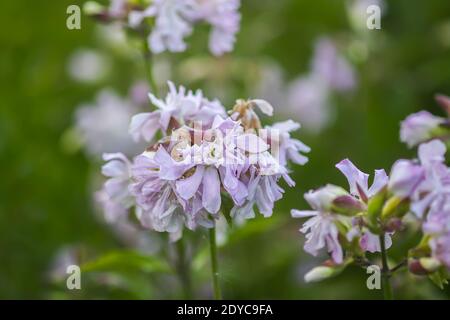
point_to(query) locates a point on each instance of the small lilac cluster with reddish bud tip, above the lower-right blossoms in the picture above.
(423, 126)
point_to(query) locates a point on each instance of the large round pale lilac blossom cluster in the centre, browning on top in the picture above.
(201, 154)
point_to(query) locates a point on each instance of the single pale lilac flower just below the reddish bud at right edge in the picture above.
(419, 127)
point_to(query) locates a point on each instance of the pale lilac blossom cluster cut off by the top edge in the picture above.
(171, 21)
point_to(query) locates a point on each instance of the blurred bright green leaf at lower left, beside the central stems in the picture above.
(126, 260)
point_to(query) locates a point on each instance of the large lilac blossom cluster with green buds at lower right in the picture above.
(350, 224)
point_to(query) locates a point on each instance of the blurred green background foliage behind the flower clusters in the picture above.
(47, 213)
